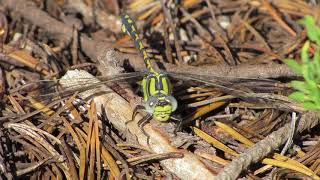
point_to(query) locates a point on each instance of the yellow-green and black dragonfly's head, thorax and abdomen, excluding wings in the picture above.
(156, 86)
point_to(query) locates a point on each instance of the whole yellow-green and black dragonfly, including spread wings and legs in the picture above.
(159, 102)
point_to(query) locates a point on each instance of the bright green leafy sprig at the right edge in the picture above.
(308, 91)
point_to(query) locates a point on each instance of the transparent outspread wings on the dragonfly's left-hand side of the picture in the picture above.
(43, 95)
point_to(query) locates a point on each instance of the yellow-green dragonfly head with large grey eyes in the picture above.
(161, 107)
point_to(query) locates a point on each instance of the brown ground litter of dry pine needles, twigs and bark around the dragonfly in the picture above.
(235, 124)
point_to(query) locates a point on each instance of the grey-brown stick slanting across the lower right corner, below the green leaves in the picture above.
(264, 147)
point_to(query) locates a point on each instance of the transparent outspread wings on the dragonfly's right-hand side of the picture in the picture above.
(249, 89)
